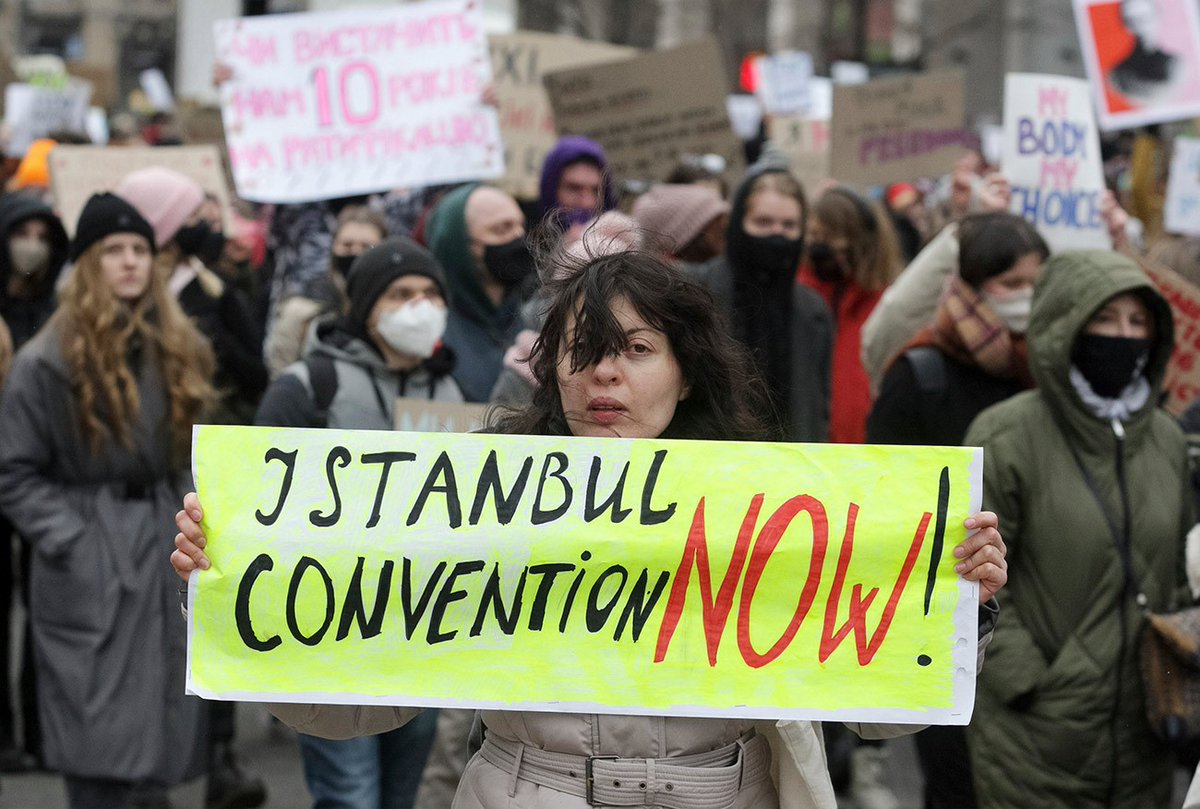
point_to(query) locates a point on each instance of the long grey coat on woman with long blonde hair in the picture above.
(105, 606)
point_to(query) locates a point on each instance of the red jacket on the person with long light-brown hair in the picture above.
(851, 389)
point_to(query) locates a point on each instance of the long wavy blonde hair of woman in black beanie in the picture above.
(98, 332)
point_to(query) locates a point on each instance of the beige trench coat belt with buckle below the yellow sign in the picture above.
(703, 781)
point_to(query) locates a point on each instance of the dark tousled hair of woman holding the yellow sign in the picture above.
(727, 398)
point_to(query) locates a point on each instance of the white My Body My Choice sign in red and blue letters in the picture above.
(1052, 155)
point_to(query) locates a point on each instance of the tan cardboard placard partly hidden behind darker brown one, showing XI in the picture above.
(520, 61)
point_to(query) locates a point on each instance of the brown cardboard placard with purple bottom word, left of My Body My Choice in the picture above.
(899, 129)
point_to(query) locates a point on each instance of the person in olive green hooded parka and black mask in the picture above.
(1090, 481)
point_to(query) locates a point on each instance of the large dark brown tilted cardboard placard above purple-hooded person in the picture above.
(650, 111)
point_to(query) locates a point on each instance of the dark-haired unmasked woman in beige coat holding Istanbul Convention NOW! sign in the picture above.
(632, 349)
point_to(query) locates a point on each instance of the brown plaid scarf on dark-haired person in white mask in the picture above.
(968, 331)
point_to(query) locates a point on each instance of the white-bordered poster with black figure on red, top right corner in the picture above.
(1143, 58)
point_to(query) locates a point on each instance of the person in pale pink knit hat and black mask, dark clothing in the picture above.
(173, 205)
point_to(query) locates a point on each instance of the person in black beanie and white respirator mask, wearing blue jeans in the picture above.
(387, 347)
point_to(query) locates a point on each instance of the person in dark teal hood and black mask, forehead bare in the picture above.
(478, 235)
